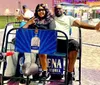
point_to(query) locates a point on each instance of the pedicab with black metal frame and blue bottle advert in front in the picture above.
(21, 42)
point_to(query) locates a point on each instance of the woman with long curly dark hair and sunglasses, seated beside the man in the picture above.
(42, 19)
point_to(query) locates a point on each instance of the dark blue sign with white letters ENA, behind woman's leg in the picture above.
(55, 64)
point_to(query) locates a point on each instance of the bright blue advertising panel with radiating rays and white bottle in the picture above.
(37, 41)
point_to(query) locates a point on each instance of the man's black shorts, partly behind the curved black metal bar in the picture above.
(73, 45)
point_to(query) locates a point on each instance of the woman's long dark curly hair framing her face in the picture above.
(48, 16)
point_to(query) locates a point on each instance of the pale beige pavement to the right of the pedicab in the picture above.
(90, 57)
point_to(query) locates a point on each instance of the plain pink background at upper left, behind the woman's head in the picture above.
(12, 5)
